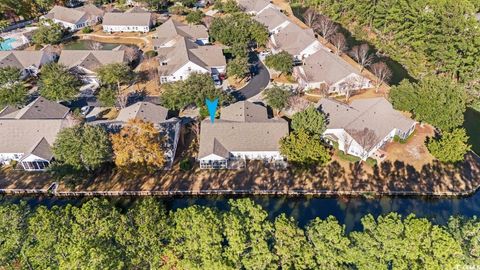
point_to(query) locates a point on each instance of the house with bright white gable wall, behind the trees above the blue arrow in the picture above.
(186, 57)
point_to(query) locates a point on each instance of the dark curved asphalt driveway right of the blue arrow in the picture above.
(257, 83)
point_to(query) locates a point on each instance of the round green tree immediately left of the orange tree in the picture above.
(83, 146)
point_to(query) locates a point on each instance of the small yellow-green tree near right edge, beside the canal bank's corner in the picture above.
(450, 147)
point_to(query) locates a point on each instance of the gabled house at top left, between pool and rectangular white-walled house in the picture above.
(75, 18)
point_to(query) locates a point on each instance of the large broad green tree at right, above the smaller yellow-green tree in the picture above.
(435, 100)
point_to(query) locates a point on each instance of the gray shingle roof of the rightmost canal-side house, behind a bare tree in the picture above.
(372, 114)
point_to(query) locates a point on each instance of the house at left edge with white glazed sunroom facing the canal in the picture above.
(29, 133)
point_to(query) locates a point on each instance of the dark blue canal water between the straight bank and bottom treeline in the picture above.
(346, 210)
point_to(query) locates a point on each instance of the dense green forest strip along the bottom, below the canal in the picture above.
(98, 235)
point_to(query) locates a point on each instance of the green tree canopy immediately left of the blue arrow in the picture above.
(192, 91)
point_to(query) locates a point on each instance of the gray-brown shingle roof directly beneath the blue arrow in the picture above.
(234, 133)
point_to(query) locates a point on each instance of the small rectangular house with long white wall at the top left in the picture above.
(127, 22)
